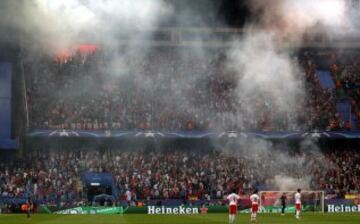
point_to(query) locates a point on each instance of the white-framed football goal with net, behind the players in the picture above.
(312, 201)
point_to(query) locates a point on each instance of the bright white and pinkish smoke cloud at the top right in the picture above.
(292, 19)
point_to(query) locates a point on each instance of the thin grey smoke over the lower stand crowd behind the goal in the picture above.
(277, 166)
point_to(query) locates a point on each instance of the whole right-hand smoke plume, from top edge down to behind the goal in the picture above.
(266, 69)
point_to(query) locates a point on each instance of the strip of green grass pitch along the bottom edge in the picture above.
(183, 219)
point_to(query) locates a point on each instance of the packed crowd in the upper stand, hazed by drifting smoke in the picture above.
(164, 89)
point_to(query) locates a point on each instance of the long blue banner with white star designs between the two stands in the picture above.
(137, 134)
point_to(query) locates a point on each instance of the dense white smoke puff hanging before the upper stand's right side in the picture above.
(265, 70)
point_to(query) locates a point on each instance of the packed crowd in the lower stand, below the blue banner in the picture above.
(55, 177)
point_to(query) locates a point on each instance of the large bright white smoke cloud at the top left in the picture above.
(62, 24)
